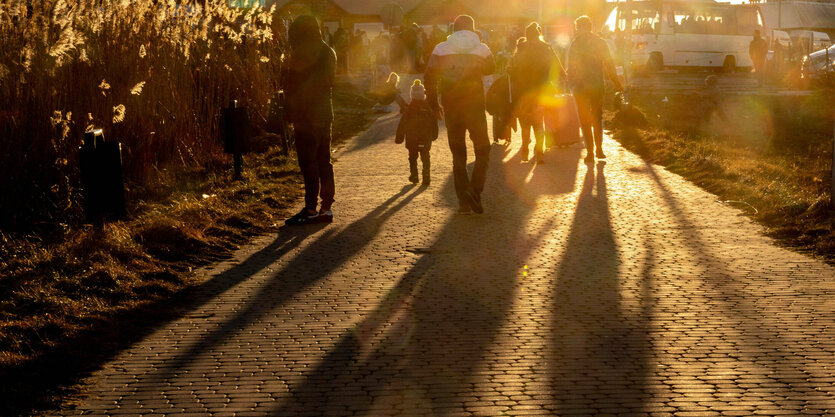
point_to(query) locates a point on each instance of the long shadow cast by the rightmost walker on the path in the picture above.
(599, 352)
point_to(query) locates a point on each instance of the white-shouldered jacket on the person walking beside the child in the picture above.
(455, 72)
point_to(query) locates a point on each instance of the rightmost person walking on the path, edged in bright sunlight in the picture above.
(589, 63)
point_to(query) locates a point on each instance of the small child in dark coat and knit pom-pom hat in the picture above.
(418, 127)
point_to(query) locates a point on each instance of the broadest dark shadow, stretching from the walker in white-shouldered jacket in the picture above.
(430, 346)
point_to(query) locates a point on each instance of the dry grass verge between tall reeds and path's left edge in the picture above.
(69, 302)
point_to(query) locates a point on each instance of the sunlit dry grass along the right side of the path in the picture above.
(769, 156)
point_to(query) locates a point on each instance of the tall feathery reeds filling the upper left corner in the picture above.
(153, 74)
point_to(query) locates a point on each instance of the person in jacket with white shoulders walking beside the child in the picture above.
(455, 72)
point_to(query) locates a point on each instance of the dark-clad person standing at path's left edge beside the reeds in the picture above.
(309, 85)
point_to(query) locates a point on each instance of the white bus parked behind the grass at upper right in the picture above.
(685, 33)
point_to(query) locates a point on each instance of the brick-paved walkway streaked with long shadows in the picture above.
(613, 289)
